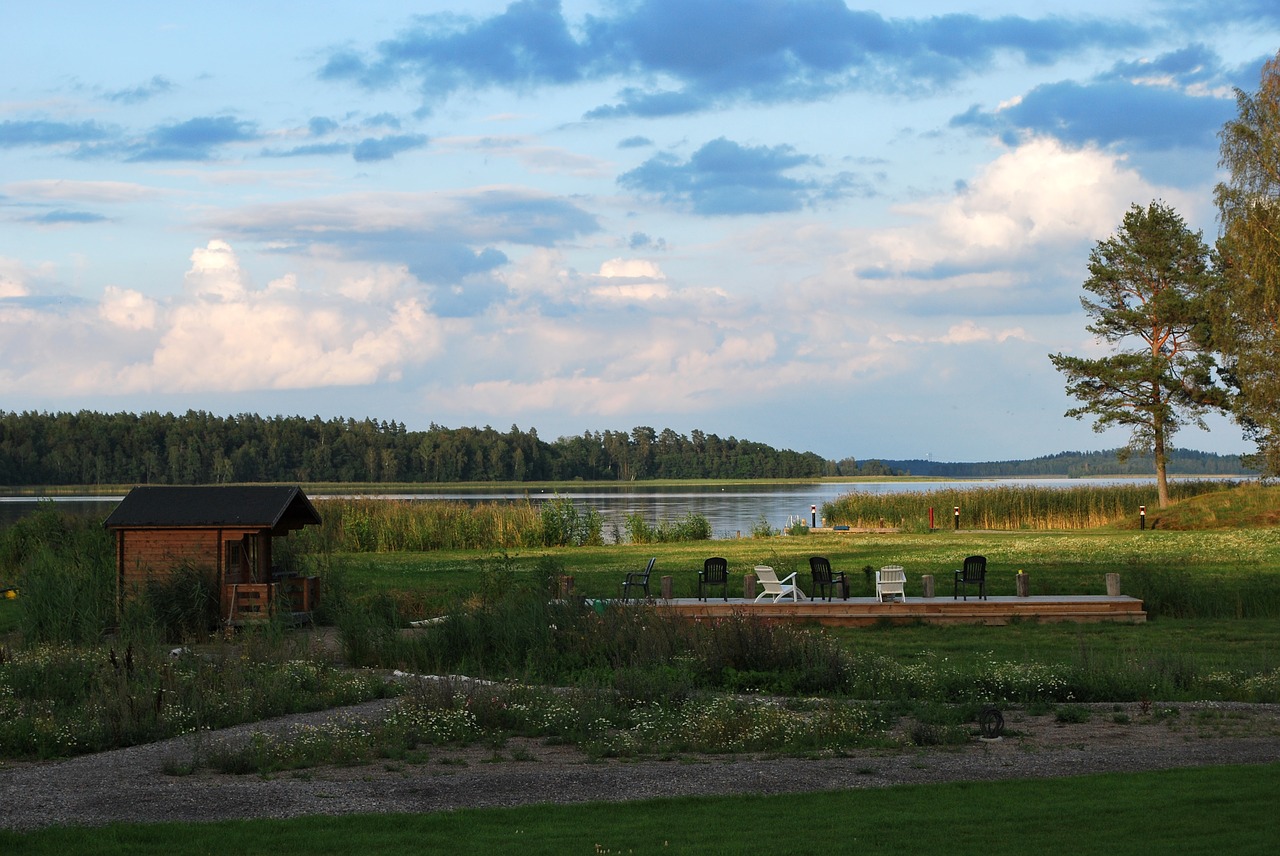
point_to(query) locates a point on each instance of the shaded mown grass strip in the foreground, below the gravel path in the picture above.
(1210, 811)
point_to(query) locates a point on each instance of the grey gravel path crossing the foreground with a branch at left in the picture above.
(130, 785)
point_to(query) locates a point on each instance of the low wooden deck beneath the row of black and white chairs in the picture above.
(860, 612)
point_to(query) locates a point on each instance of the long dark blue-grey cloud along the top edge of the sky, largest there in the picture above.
(710, 53)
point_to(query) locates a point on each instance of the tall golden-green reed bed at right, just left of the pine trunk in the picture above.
(1007, 507)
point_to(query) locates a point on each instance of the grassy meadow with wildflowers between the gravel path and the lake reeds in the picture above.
(630, 684)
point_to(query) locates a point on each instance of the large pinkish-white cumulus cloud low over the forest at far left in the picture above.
(218, 335)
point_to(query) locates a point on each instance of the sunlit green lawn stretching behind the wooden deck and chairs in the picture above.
(1224, 573)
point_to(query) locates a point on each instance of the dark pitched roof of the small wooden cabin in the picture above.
(278, 509)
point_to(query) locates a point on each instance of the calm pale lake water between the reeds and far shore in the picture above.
(732, 510)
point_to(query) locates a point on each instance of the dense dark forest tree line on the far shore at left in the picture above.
(89, 448)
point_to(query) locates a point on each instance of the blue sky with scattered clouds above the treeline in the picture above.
(854, 230)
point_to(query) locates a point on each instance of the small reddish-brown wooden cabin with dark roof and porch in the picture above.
(228, 530)
